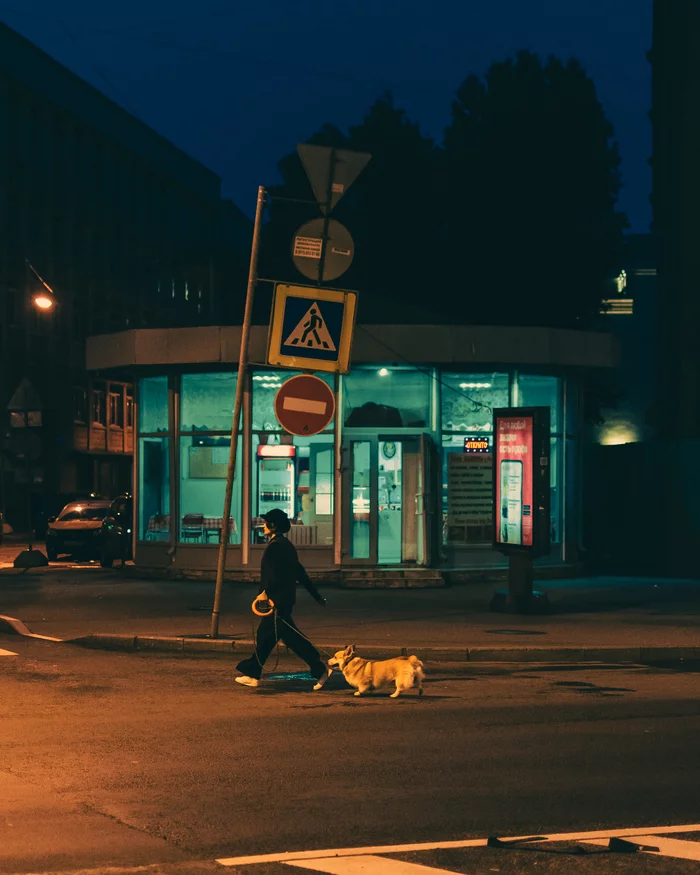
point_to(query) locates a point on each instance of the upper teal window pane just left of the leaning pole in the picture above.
(206, 401)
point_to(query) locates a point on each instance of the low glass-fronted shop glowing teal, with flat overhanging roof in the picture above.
(401, 479)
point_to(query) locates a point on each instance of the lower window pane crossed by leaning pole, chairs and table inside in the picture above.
(203, 467)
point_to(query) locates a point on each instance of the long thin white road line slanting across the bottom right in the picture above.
(289, 856)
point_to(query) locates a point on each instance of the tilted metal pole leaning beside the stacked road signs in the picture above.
(240, 385)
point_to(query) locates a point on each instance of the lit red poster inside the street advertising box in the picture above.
(514, 480)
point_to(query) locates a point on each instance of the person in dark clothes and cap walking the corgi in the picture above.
(280, 571)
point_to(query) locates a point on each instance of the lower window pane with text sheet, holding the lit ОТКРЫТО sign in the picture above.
(467, 493)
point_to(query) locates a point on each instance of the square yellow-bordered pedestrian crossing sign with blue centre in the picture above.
(311, 328)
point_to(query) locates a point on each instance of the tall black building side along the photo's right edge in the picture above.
(673, 475)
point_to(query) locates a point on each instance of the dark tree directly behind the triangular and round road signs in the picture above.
(394, 211)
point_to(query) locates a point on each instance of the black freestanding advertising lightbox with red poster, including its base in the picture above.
(520, 498)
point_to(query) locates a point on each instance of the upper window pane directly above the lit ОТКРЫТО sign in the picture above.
(468, 400)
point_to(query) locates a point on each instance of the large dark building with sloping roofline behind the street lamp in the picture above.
(127, 231)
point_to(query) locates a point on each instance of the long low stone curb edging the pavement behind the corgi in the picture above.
(612, 654)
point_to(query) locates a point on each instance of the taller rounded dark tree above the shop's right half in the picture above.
(533, 234)
